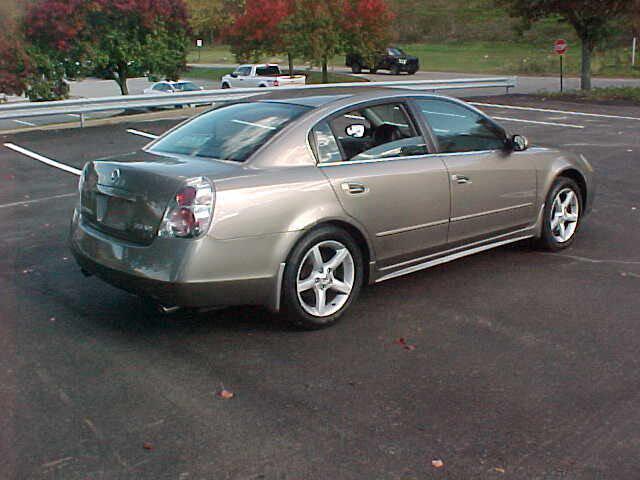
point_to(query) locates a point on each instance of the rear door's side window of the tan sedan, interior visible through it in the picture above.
(376, 132)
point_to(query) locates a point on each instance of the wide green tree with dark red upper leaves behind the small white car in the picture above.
(116, 36)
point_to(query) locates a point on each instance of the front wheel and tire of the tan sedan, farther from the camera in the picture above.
(564, 201)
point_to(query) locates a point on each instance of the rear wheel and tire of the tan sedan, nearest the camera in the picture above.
(304, 269)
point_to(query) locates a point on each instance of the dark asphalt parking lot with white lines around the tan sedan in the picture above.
(525, 366)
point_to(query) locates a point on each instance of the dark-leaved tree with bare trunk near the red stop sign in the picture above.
(591, 20)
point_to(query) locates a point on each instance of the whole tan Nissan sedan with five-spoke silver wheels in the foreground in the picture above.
(296, 203)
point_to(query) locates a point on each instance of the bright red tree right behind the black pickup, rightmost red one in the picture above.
(366, 27)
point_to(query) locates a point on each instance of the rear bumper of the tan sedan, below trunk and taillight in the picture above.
(187, 273)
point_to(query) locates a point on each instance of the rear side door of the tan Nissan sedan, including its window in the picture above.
(378, 164)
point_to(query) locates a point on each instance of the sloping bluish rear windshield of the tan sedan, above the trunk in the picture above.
(231, 132)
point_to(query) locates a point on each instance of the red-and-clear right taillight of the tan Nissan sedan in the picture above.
(189, 213)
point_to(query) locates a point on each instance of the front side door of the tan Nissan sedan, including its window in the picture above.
(493, 189)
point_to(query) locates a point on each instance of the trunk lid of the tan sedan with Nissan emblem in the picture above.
(126, 197)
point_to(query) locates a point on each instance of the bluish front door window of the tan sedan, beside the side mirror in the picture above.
(460, 129)
